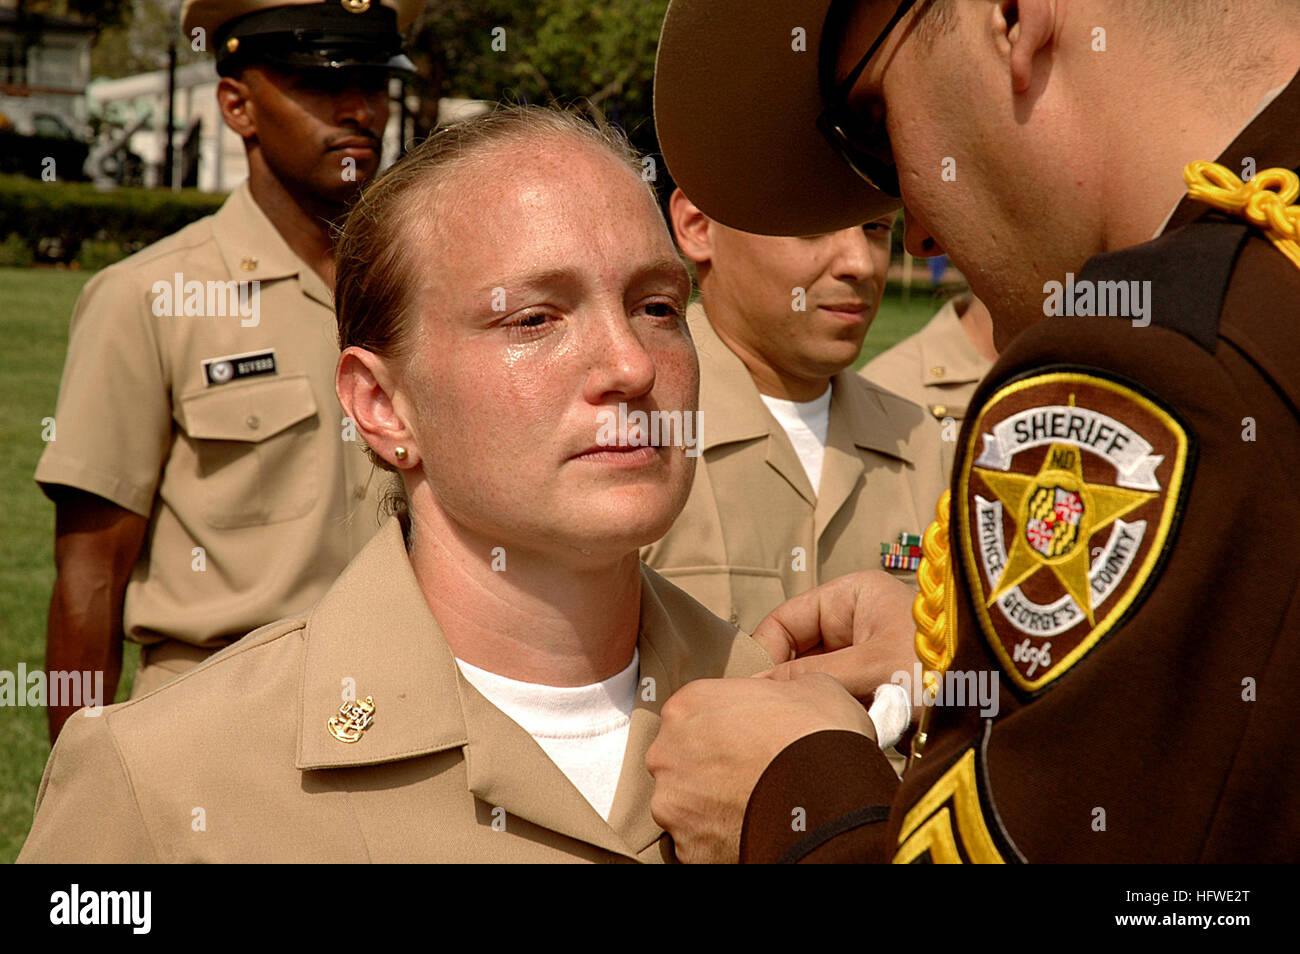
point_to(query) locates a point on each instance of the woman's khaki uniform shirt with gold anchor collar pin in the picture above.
(235, 762)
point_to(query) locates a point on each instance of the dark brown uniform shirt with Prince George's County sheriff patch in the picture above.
(1163, 728)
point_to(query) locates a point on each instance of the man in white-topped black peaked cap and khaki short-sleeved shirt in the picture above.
(205, 478)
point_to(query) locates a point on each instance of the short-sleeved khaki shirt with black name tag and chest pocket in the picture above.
(255, 497)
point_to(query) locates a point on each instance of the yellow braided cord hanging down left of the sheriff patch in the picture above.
(935, 614)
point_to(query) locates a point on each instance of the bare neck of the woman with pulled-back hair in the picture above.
(531, 618)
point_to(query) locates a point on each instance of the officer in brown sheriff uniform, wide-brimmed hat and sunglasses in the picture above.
(1120, 553)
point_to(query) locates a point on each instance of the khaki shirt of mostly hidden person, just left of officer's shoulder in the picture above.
(938, 368)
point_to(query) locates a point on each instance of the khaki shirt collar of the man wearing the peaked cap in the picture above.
(254, 250)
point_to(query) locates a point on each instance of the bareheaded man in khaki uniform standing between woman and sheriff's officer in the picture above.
(757, 528)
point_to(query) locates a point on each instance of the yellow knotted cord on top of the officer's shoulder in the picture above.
(1267, 202)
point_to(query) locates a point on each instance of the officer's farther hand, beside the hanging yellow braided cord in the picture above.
(857, 628)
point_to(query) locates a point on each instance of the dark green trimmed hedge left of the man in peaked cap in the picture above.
(57, 218)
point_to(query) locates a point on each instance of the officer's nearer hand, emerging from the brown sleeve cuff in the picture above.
(717, 739)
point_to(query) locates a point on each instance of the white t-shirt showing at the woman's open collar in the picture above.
(584, 730)
